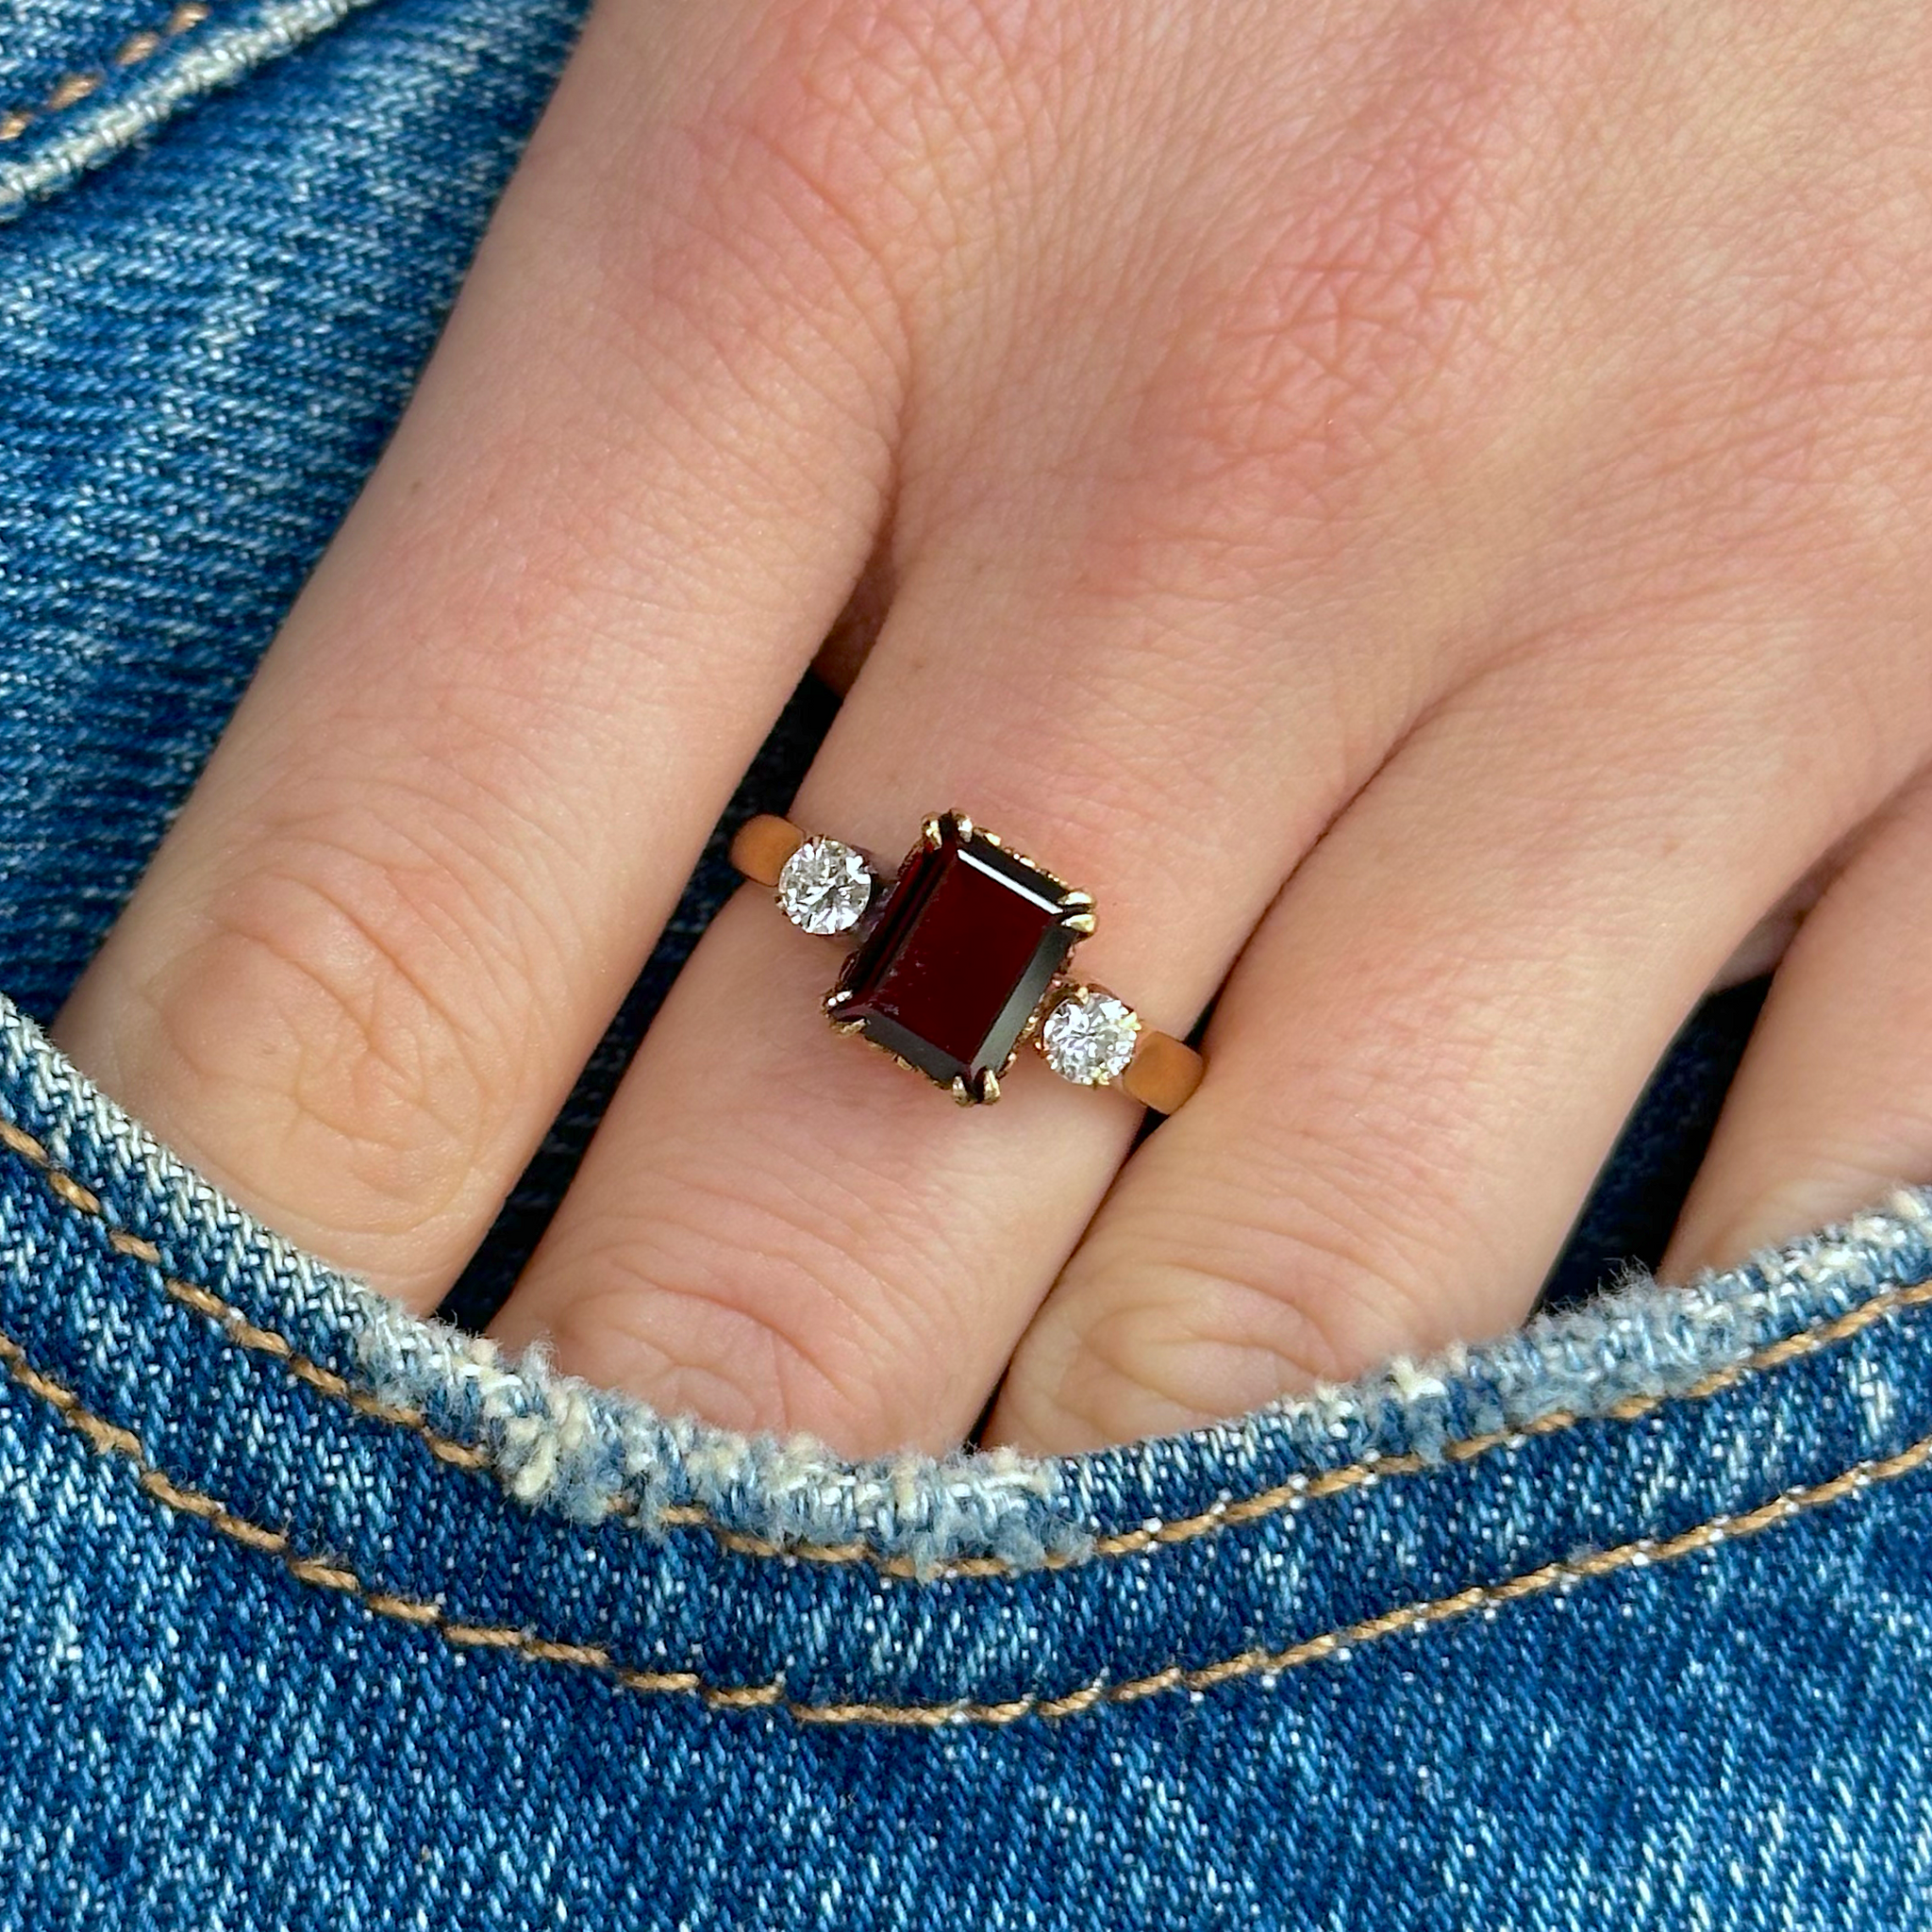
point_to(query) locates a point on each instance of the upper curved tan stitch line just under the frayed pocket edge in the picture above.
(1237, 1512)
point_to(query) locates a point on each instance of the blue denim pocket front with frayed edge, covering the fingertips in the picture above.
(1620, 1620)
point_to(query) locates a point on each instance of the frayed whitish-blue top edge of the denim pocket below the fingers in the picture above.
(567, 1448)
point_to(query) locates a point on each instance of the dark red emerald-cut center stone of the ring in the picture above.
(963, 952)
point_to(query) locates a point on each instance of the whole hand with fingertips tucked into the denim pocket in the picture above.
(1417, 505)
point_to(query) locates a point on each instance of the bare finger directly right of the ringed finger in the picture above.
(1423, 1058)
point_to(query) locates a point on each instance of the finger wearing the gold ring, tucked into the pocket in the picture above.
(780, 1230)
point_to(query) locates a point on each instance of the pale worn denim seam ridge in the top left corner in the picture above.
(69, 142)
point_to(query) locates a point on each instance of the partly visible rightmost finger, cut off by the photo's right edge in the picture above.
(1834, 1098)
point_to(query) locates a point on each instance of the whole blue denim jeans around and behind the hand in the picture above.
(320, 1616)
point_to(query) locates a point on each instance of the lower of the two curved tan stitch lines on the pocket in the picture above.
(111, 1440)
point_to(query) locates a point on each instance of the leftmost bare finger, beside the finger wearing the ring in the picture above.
(640, 478)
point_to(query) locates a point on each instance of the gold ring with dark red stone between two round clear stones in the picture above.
(959, 959)
